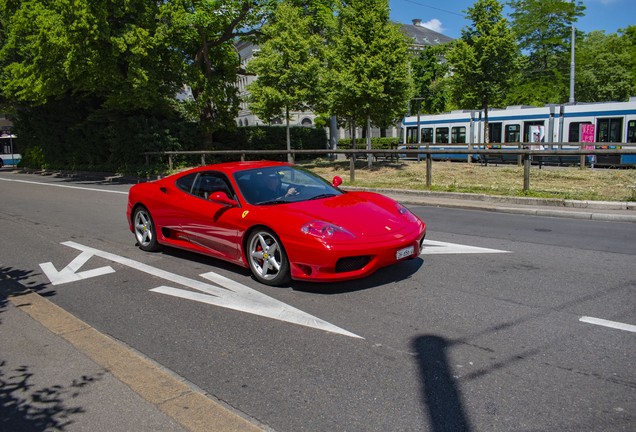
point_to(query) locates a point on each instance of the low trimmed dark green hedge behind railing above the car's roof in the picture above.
(268, 138)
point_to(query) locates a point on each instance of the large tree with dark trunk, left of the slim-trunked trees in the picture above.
(203, 33)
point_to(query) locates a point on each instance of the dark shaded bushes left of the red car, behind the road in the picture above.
(71, 135)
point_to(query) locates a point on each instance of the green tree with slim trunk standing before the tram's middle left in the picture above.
(484, 59)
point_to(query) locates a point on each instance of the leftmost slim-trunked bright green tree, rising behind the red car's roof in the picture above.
(288, 66)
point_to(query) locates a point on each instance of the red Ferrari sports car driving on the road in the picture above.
(278, 219)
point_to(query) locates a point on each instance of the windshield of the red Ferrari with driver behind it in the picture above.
(282, 185)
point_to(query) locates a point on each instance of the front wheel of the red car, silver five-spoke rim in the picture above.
(267, 257)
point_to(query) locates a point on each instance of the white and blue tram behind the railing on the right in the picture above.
(609, 125)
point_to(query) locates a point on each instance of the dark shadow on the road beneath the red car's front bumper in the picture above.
(391, 274)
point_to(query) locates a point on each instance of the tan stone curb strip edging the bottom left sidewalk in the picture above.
(193, 409)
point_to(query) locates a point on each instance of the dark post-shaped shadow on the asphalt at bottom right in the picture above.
(440, 395)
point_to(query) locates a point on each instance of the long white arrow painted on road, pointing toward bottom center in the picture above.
(230, 294)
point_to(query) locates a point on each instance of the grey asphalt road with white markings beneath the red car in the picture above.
(457, 341)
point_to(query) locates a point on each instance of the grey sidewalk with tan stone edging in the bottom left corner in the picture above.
(58, 373)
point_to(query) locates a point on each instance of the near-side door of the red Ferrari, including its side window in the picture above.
(210, 225)
